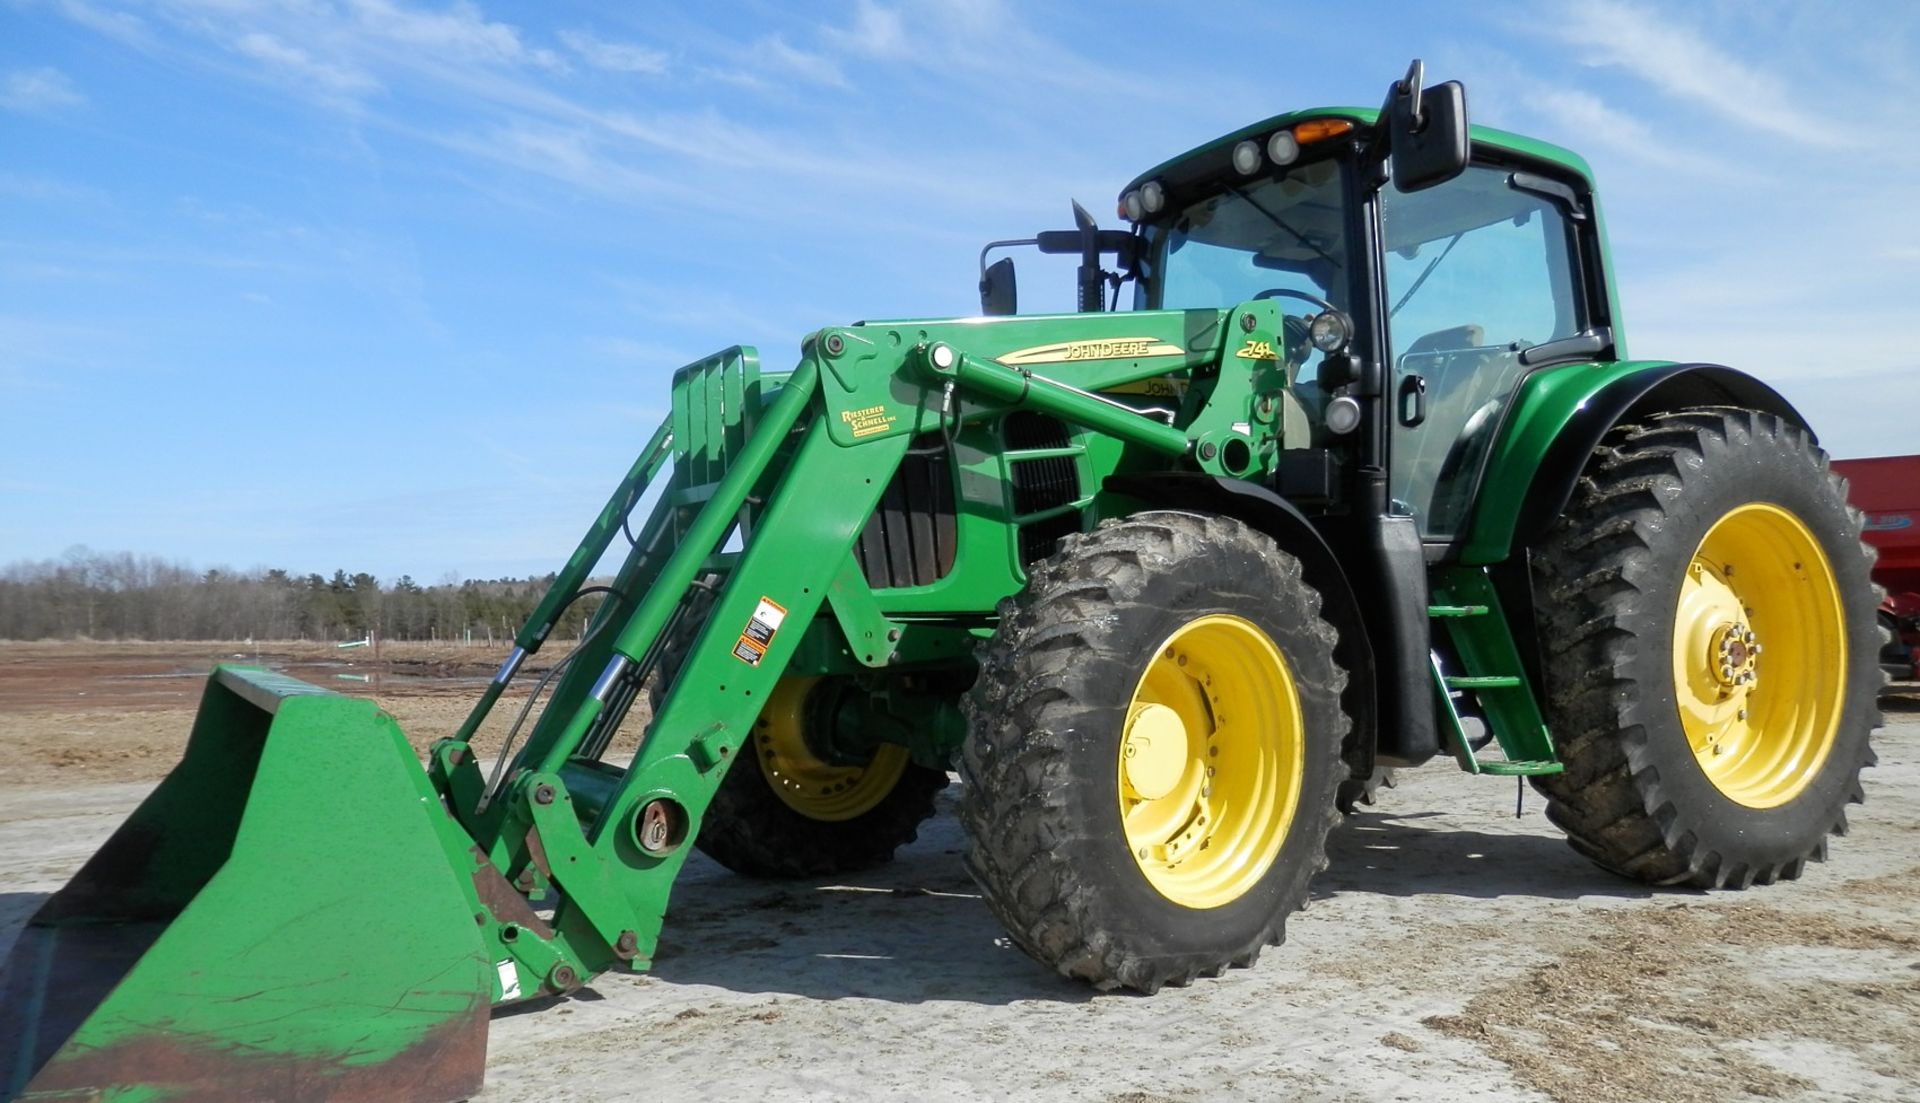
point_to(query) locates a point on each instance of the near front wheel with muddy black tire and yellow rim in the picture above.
(1153, 752)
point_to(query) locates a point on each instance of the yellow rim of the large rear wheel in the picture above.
(1760, 656)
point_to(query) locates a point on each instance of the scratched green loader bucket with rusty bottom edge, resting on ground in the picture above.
(279, 919)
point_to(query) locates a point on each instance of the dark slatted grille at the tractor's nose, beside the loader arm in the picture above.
(911, 537)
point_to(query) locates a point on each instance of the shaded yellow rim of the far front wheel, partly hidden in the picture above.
(807, 785)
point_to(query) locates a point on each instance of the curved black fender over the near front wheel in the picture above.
(1291, 529)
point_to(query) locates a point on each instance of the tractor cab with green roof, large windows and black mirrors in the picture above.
(1424, 270)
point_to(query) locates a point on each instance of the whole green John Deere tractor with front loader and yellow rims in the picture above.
(1362, 478)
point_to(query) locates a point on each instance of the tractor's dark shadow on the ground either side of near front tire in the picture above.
(919, 931)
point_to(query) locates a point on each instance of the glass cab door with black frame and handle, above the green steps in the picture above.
(1479, 272)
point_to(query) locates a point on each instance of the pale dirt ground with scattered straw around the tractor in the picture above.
(1452, 952)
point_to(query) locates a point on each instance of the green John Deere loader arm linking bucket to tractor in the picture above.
(790, 470)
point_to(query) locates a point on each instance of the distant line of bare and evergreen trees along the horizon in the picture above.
(124, 597)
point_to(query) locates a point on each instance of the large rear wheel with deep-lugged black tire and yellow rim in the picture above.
(1692, 758)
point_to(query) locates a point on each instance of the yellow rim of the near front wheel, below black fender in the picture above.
(1212, 762)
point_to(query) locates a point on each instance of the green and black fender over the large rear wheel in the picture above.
(1562, 414)
